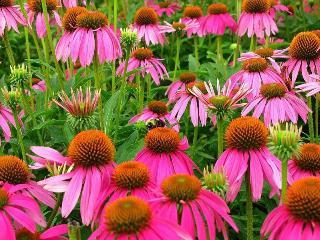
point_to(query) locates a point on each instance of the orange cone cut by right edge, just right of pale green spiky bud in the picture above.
(309, 157)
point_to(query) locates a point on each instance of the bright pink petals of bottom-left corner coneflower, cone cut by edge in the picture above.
(17, 209)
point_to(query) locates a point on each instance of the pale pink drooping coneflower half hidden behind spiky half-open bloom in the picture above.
(182, 98)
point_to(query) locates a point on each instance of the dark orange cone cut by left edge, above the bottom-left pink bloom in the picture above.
(13, 170)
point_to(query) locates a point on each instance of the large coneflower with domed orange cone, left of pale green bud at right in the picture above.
(246, 140)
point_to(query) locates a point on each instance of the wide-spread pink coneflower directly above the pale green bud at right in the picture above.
(277, 105)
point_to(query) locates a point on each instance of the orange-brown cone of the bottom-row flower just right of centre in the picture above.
(181, 187)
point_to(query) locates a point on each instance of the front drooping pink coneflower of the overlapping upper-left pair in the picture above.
(93, 35)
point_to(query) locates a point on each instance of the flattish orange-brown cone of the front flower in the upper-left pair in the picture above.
(91, 20)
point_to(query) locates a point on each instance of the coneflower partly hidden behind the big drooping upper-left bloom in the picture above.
(69, 23)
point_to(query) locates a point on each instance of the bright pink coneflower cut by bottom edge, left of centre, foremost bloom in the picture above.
(131, 217)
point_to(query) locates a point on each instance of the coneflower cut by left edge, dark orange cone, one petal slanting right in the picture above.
(16, 172)
